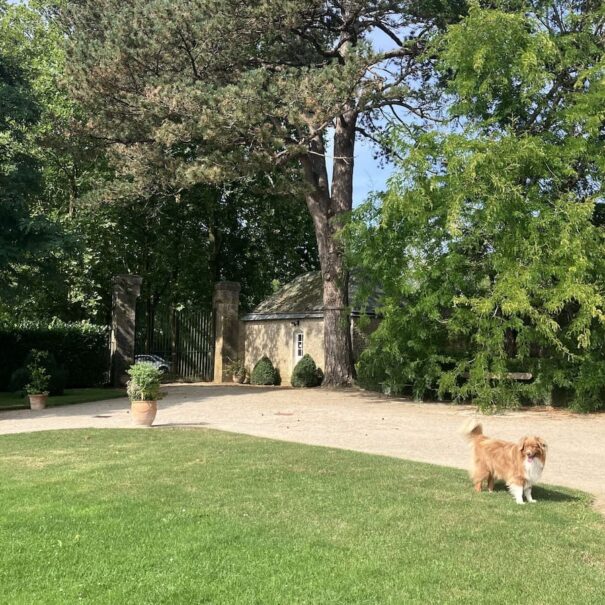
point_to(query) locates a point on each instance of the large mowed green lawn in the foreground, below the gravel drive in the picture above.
(195, 516)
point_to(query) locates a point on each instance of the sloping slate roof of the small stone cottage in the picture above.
(302, 298)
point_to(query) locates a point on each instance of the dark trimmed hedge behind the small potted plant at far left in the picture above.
(82, 349)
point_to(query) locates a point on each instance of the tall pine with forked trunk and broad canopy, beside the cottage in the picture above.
(206, 91)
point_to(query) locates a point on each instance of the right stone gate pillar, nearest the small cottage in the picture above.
(225, 303)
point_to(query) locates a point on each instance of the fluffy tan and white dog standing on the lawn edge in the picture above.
(519, 464)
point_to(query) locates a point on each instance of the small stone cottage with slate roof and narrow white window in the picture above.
(289, 324)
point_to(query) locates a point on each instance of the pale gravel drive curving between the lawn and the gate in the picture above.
(351, 420)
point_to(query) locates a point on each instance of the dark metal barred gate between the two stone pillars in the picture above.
(184, 338)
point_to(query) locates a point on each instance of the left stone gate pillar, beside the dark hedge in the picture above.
(126, 290)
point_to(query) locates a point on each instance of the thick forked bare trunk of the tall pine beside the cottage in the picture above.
(327, 210)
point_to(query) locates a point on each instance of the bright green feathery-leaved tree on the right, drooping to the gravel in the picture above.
(488, 244)
